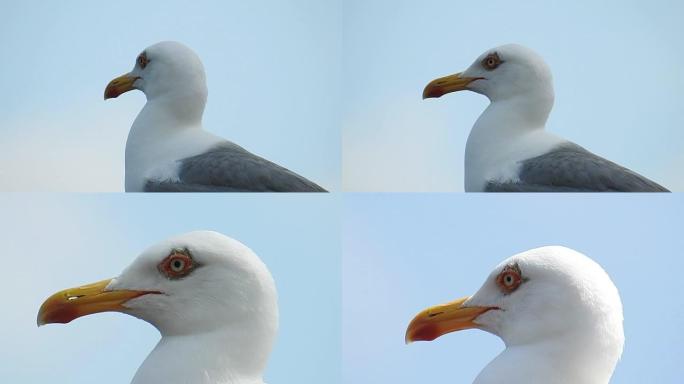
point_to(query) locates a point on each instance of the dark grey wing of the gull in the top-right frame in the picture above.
(571, 168)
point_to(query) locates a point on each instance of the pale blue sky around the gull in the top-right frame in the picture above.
(618, 68)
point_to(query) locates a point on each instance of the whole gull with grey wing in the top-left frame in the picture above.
(167, 148)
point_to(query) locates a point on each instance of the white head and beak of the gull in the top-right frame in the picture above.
(501, 73)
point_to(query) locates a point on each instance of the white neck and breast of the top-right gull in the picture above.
(507, 131)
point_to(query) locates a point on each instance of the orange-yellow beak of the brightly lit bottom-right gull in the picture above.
(439, 320)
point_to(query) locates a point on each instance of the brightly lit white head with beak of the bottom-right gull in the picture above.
(545, 296)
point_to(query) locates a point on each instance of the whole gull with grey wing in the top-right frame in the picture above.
(508, 149)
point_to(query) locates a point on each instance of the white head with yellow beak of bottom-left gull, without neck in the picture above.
(198, 282)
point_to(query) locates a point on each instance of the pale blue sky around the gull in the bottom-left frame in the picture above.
(52, 242)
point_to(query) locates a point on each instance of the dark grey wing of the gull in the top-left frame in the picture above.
(230, 168)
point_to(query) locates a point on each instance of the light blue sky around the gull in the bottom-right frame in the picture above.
(403, 253)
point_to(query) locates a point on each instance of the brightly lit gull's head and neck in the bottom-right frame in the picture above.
(557, 311)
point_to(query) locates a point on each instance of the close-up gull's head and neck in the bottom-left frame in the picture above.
(211, 298)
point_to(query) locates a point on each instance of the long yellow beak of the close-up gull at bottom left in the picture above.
(70, 304)
